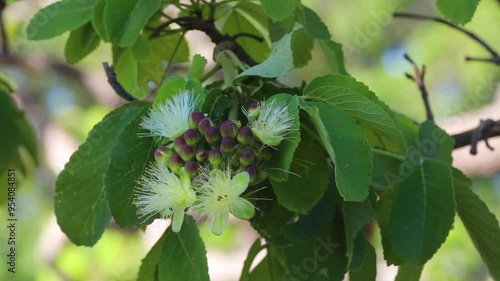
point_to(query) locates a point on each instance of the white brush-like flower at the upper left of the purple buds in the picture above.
(170, 119)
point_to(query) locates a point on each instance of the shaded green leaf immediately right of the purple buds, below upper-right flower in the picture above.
(308, 180)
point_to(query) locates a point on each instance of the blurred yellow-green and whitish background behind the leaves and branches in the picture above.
(63, 102)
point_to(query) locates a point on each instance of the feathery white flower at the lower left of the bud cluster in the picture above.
(161, 191)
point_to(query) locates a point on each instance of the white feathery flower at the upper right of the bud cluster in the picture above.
(272, 124)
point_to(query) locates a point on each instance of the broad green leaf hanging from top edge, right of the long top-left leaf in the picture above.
(124, 20)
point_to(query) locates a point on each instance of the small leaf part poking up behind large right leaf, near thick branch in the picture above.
(435, 143)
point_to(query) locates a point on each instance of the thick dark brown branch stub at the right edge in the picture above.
(486, 129)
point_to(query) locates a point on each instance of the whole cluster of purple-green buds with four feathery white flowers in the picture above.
(207, 167)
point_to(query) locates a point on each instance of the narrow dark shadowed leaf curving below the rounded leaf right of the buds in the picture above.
(311, 225)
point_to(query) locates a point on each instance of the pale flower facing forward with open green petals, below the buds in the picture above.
(219, 195)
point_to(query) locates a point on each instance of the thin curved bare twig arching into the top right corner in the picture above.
(495, 58)
